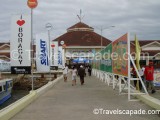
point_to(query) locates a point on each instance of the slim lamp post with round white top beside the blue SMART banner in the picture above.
(49, 27)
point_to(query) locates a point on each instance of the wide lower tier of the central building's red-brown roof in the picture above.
(82, 38)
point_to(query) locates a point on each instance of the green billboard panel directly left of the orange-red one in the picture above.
(106, 62)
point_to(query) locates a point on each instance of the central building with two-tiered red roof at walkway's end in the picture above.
(81, 42)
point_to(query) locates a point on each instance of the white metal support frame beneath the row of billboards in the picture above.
(121, 83)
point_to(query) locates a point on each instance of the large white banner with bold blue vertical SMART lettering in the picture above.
(42, 59)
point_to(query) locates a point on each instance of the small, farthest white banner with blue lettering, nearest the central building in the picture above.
(60, 57)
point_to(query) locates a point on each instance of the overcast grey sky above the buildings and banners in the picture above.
(139, 17)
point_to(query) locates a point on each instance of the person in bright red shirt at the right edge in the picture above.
(149, 77)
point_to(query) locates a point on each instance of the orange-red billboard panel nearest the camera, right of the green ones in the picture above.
(120, 56)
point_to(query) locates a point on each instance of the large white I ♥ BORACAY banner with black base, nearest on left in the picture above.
(20, 44)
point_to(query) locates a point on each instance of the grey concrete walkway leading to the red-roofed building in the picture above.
(66, 102)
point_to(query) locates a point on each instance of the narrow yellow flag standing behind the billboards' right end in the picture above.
(138, 52)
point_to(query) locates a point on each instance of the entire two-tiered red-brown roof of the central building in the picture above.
(81, 34)
